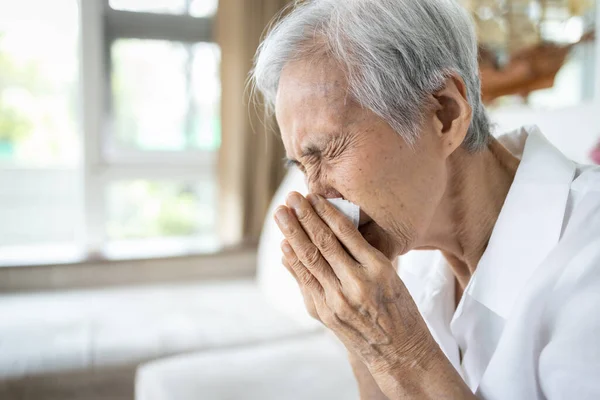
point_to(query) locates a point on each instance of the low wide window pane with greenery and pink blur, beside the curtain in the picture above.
(146, 209)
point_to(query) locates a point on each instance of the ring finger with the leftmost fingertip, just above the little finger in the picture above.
(304, 251)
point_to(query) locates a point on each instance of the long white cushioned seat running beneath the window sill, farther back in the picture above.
(42, 333)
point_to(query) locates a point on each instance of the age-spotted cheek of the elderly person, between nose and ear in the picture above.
(394, 185)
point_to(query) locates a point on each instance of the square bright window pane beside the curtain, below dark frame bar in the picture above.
(166, 95)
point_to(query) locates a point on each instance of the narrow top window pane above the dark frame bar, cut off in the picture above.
(195, 8)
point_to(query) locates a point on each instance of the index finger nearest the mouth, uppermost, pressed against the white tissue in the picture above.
(344, 230)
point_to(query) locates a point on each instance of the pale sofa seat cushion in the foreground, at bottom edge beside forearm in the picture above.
(315, 367)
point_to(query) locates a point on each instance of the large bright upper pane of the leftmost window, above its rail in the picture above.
(38, 82)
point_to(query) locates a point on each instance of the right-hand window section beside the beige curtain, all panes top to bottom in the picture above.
(163, 104)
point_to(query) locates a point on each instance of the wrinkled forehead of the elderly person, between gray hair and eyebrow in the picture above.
(312, 99)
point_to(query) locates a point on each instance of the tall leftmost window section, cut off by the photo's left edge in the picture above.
(39, 125)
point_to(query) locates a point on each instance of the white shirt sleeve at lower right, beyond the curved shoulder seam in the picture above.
(569, 358)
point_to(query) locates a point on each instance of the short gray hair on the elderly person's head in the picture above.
(395, 54)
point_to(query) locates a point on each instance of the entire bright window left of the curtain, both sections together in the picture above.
(109, 127)
